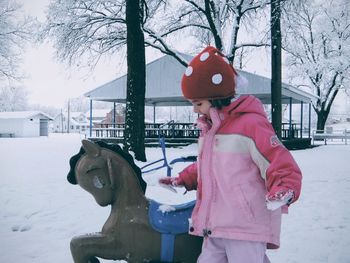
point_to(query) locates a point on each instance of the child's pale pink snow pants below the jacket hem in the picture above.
(221, 250)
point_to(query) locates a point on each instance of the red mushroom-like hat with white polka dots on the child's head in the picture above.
(209, 76)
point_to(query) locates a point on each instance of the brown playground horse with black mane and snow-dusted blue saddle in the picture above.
(137, 229)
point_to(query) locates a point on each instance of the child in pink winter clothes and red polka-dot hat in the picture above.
(244, 176)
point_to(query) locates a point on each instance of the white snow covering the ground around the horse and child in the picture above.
(41, 211)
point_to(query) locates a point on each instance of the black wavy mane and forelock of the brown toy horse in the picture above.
(113, 147)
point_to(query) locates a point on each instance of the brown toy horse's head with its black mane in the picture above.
(93, 169)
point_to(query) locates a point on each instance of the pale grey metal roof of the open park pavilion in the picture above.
(163, 78)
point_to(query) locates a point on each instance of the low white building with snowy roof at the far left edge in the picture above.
(24, 124)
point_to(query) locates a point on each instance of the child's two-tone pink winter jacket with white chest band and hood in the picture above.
(240, 161)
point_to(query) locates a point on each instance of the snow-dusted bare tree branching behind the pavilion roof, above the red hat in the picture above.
(212, 22)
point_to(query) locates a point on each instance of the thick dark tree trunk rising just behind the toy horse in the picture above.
(134, 134)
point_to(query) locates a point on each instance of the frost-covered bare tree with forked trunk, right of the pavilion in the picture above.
(317, 40)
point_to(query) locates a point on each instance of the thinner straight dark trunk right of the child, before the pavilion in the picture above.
(276, 67)
